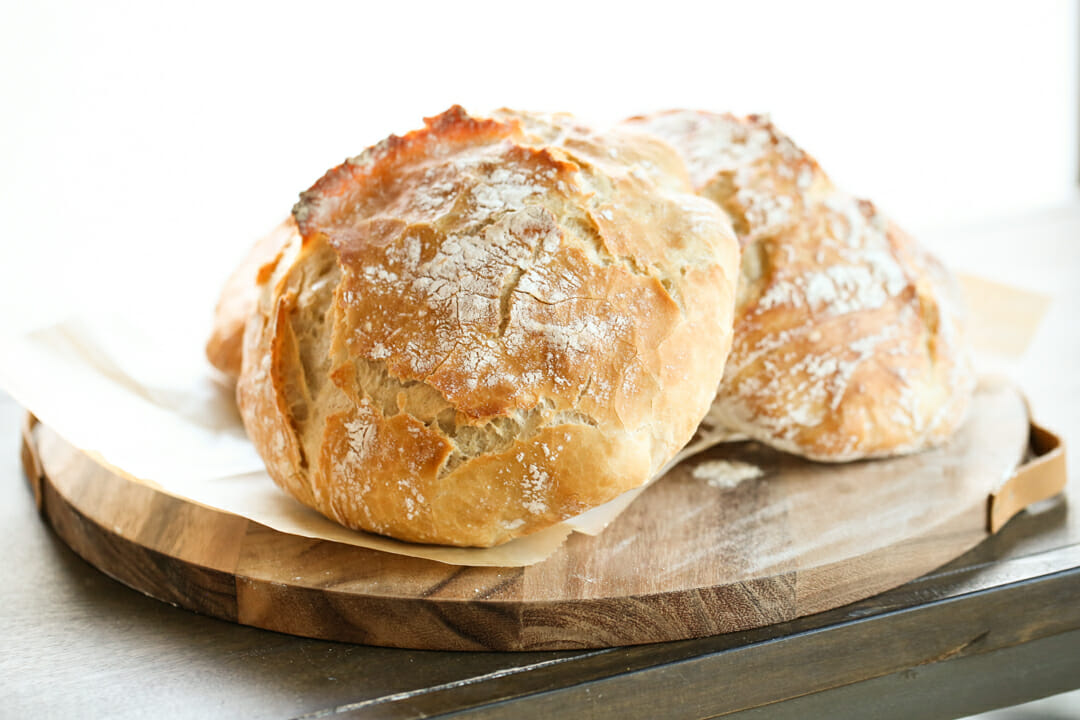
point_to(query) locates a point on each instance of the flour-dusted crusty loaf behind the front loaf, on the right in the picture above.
(847, 342)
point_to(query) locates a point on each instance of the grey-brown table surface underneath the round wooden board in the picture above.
(996, 628)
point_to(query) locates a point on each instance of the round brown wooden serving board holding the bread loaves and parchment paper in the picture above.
(687, 560)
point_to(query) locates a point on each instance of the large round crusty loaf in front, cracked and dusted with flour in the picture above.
(488, 327)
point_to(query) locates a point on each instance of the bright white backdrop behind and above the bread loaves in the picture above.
(143, 148)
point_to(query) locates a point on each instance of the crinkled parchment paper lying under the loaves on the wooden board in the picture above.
(144, 402)
